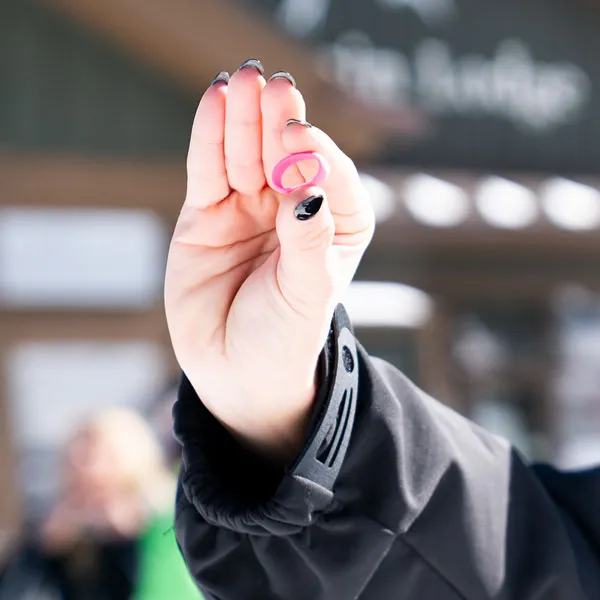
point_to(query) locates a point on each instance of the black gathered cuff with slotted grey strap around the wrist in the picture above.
(232, 488)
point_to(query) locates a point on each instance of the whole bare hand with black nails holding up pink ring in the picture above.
(250, 288)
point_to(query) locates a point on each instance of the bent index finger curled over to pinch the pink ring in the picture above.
(346, 195)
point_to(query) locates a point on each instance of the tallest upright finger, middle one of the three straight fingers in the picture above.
(243, 134)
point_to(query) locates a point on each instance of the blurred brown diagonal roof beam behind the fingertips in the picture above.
(191, 40)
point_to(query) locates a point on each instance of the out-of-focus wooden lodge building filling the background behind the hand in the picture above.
(475, 125)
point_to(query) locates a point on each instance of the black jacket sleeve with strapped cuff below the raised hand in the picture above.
(394, 497)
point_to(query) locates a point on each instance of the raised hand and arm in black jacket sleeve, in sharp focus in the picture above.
(312, 471)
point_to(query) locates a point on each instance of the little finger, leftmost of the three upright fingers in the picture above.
(207, 182)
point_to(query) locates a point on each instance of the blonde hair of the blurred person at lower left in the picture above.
(140, 462)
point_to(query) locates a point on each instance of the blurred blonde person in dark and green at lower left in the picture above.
(110, 534)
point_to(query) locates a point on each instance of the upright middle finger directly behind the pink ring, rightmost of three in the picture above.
(280, 102)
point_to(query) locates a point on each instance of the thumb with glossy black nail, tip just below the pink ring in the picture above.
(306, 229)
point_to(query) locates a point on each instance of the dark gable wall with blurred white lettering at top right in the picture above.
(506, 84)
